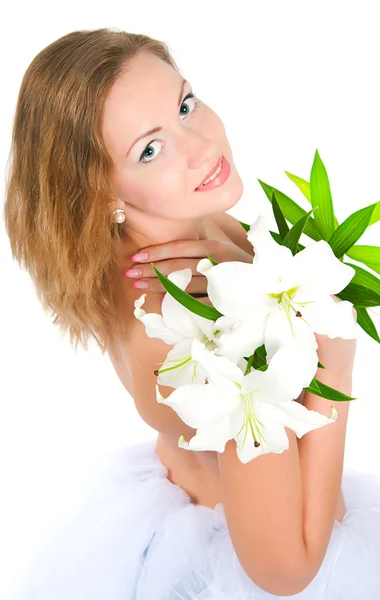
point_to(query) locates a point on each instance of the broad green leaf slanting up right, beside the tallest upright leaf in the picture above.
(345, 236)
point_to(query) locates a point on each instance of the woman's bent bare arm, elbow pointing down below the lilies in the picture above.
(280, 507)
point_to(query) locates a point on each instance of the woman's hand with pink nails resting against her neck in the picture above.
(181, 254)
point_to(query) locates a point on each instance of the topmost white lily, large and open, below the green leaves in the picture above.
(279, 297)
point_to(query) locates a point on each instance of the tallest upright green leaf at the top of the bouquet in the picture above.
(320, 195)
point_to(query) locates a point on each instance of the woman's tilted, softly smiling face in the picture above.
(156, 176)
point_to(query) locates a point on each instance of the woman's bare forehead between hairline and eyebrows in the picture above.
(138, 99)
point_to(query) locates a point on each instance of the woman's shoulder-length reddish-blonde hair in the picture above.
(60, 181)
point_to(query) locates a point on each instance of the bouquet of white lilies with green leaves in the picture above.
(238, 365)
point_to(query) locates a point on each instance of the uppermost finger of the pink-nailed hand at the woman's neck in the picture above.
(180, 248)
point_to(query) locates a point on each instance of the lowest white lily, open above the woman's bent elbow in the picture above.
(252, 409)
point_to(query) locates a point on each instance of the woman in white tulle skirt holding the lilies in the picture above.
(96, 108)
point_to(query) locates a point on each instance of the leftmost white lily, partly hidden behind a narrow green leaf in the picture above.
(179, 326)
